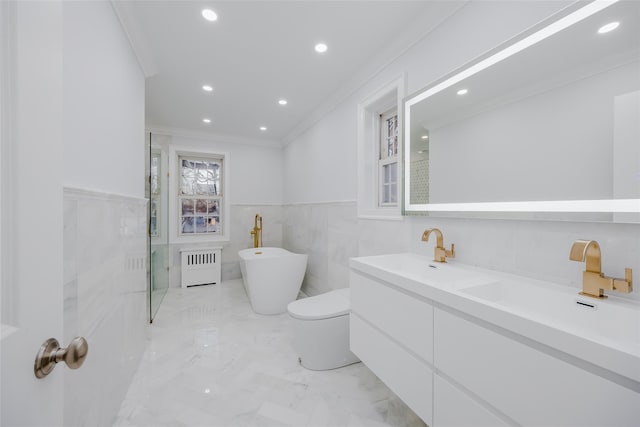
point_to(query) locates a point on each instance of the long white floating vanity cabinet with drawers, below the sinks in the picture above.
(457, 363)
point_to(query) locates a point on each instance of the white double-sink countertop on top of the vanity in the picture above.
(607, 335)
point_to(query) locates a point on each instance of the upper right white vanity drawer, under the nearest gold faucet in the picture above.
(528, 385)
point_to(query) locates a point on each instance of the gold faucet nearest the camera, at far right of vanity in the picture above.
(594, 283)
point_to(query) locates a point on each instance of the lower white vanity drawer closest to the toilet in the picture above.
(406, 375)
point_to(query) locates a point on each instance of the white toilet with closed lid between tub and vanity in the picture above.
(321, 330)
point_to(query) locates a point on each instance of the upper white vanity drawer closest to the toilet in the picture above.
(406, 319)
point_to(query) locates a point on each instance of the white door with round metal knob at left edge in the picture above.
(32, 209)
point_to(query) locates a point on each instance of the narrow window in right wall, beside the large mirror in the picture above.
(388, 159)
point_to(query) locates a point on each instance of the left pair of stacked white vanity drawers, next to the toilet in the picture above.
(392, 333)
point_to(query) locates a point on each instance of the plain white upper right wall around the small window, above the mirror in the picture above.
(320, 165)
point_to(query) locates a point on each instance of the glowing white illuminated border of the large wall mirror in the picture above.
(570, 16)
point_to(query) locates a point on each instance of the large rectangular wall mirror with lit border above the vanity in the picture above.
(546, 125)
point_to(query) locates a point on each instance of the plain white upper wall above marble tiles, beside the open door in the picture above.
(103, 103)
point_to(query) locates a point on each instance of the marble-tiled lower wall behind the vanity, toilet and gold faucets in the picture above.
(331, 233)
